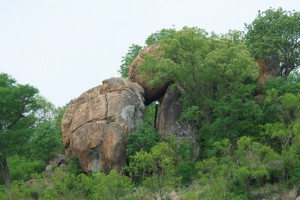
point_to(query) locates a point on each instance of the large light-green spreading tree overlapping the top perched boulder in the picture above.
(205, 68)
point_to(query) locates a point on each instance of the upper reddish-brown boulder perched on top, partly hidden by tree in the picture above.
(152, 93)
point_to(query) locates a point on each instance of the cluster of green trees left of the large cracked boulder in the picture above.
(25, 130)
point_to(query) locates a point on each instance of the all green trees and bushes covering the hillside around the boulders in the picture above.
(248, 144)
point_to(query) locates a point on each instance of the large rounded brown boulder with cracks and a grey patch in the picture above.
(96, 124)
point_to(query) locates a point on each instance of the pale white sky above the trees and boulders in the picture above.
(65, 47)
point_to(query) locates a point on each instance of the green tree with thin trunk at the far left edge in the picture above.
(17, 107)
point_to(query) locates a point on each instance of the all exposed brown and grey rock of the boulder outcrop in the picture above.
(96, 124)
